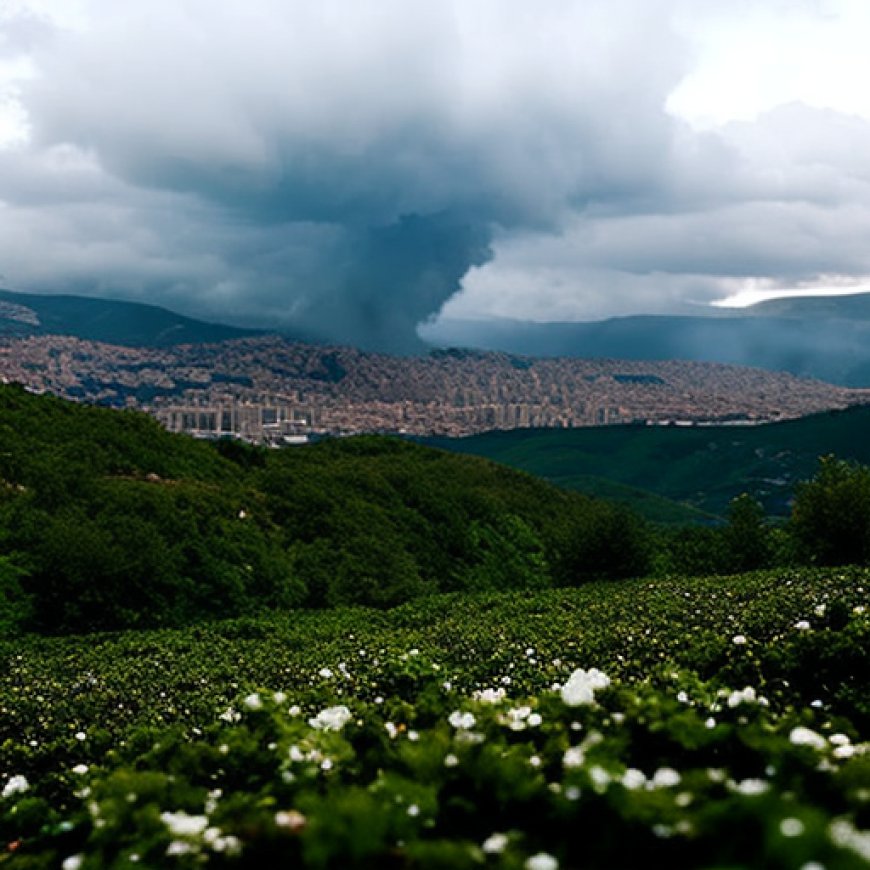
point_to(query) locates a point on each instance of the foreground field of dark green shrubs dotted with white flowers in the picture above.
(704, 722)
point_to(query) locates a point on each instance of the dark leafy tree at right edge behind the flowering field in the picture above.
(831, 515)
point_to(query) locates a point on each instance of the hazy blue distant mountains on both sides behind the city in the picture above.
(823, 338)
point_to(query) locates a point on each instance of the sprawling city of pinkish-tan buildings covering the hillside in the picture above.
(271, 389)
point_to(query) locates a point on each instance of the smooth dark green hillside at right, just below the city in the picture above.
(703, 468)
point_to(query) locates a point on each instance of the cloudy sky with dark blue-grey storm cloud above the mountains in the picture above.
(362, 171)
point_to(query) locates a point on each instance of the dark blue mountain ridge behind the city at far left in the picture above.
(130, 324)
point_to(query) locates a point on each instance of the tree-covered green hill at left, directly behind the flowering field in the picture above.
(106, 520)
